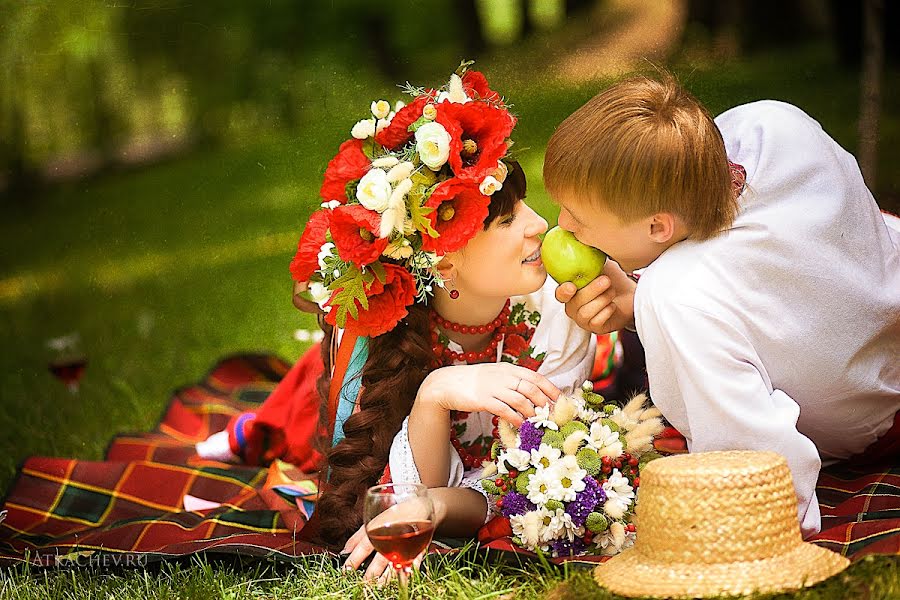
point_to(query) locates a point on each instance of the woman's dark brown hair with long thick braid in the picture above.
(398, 362)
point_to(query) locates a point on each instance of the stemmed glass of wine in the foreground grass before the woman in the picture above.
(399, 522)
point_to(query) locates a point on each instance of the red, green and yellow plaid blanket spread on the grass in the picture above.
(133, 503)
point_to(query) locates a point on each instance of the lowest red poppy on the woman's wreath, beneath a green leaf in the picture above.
(387, 303)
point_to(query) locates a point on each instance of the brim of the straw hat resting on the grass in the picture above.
(632, 574)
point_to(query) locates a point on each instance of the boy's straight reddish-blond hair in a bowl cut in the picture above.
(641, 147)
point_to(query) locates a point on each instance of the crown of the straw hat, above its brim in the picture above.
(717, 507)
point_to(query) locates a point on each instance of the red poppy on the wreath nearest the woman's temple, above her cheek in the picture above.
(459, 213)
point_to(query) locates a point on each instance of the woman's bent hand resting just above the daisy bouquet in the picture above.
(508, 391)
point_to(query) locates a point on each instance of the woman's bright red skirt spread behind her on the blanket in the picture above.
(286, 424)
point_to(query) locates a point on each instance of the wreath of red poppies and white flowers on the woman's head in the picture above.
(411, 185)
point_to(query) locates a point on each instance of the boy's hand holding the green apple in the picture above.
(606, 304)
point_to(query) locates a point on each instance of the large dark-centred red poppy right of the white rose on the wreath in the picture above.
(485, 125)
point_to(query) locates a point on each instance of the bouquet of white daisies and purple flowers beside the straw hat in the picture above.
(566, 479)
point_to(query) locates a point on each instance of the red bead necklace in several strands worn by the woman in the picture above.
(446, 356)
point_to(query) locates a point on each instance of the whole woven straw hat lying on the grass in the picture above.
(717, 523)
